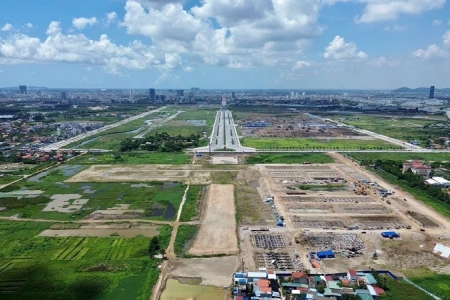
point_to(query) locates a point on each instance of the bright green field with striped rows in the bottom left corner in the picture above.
(33, 267)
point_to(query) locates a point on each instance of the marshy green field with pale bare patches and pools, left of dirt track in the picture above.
(48, 196)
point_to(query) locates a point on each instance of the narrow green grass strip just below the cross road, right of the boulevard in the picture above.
(289, 158)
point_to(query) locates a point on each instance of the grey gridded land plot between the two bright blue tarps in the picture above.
(335, 241)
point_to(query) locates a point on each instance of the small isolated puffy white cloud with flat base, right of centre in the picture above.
(338, 49)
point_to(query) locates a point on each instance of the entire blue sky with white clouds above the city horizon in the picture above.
(293, 44)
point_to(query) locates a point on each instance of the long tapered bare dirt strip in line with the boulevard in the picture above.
(217, 234)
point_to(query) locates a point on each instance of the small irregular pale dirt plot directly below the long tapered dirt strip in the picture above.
(215, 271)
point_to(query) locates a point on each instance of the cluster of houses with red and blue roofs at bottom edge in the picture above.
(268, 284)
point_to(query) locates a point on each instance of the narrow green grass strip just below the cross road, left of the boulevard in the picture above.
(132, 158)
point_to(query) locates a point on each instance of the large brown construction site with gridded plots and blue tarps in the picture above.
(330, 217)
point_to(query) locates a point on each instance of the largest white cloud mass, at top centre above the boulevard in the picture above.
(249, 33)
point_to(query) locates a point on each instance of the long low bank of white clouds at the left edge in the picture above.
(57, 47)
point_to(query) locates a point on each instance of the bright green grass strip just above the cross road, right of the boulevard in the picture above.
(315, 144)
